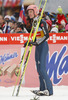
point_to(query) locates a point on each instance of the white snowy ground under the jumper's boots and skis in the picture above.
(60, 93)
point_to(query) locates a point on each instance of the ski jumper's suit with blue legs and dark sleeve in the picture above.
(41, 53)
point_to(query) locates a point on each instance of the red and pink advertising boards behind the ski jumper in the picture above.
(11, 52)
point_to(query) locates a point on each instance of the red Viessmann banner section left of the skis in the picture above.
(15, 38)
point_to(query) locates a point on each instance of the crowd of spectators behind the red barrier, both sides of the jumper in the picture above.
(56, 23)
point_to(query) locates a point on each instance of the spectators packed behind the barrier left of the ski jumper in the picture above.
(9, 24)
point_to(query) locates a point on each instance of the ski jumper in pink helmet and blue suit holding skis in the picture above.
(41, 50)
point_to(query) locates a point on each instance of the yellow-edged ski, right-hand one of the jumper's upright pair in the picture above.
(30, 48)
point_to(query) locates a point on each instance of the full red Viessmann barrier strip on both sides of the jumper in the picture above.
(55, 38)
